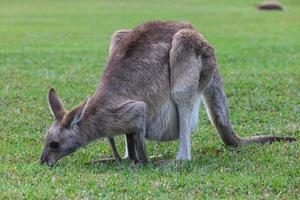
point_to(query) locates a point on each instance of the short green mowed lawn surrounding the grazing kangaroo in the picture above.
(64, 44)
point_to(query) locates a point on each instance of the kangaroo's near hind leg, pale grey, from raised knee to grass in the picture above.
(188, 77)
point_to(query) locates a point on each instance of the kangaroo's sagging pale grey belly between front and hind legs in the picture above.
(164, 125)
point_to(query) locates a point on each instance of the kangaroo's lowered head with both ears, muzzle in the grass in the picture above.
(63, 136)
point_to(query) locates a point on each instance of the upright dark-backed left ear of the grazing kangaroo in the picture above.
(55, 105)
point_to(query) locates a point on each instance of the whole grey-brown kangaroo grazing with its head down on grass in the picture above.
(156, 77)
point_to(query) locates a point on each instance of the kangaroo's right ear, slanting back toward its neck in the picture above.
(75, 115)
